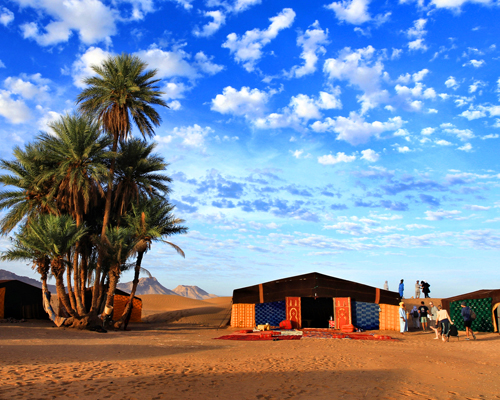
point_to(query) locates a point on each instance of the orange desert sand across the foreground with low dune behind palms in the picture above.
(175, 356)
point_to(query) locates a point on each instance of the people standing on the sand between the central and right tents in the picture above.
(442, 321)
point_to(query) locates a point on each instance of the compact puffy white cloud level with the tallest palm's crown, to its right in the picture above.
(245, 102)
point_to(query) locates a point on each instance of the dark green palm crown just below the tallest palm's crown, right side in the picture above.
(137, 174)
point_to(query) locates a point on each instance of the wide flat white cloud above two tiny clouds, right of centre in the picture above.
(354, 129)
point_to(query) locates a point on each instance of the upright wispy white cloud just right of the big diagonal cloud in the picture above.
(312, 42)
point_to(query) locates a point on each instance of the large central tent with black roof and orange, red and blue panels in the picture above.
(311, 300)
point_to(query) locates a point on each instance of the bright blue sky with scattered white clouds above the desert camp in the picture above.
(354, 138)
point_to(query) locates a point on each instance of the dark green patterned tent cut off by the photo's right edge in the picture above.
(485, 304)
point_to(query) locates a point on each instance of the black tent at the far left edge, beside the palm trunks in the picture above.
(21, 300)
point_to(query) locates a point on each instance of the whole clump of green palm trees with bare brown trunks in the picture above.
(86, 197)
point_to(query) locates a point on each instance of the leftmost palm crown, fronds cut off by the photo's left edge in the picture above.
(30, 196)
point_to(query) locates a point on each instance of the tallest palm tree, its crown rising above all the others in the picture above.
(122, 94)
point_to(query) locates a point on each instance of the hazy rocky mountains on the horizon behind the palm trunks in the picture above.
(145, 286)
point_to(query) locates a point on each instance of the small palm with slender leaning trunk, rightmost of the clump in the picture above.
(150, 221)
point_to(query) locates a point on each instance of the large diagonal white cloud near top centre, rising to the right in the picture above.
(248, 49)
